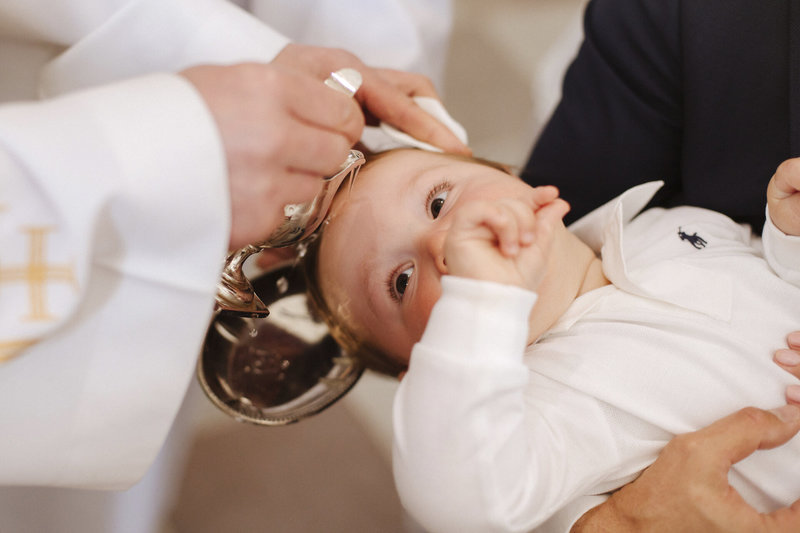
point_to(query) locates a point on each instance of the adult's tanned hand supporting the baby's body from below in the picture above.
(687, 488)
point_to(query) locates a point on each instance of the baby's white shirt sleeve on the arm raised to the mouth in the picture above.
(461, 447)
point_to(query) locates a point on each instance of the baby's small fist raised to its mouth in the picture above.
(506, 241)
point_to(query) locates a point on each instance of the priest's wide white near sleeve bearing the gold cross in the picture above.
(114, 222)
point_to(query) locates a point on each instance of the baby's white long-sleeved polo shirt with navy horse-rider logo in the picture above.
(490, 436)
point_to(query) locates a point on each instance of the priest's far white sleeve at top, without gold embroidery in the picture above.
(161, 35)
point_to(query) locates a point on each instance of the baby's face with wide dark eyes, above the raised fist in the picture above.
(380, 260)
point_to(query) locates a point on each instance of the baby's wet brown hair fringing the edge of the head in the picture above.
(369, 355)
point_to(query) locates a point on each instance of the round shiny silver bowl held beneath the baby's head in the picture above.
(278, 369)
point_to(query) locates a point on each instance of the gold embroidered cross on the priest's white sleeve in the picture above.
(37, 274)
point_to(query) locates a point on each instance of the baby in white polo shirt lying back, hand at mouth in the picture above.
(542, 365)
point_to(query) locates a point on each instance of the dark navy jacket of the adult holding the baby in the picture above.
(697, 93)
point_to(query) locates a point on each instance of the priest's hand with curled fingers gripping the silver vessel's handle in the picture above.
(282, 130)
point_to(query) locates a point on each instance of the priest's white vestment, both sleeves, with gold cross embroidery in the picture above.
(117, 181)
